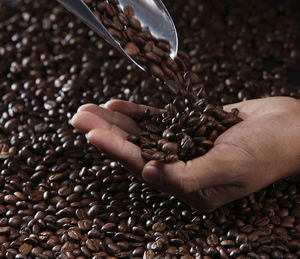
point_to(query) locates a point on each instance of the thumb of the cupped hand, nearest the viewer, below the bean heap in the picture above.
(215, 168)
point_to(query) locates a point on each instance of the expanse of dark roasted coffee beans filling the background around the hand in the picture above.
(62, 198)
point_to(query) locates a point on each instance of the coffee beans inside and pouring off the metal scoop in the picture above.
(150, 52)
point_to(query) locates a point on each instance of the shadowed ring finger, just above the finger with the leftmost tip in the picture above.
(117, 118)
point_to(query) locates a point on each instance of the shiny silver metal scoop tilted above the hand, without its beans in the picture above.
(151, 13)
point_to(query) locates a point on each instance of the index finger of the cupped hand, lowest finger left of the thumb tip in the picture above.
(118, 148)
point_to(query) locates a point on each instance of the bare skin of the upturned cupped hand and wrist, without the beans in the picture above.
(258, 151)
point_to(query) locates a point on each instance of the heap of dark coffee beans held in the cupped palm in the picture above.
(180, 133)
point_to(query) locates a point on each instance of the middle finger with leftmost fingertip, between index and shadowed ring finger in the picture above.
(86, 121)
